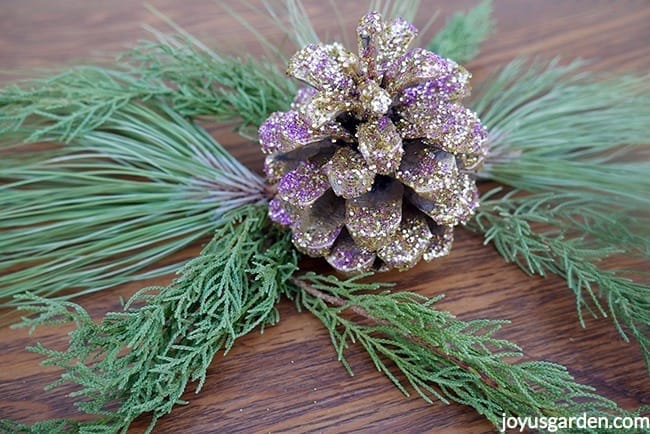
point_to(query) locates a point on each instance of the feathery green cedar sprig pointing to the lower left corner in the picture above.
(140, 360)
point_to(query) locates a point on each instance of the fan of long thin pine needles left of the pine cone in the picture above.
(95, 213)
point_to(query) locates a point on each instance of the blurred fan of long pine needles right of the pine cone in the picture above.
(553, 128)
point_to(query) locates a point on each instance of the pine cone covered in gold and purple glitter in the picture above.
(373, 164)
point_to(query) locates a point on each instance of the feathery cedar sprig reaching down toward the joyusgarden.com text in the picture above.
(443, 357)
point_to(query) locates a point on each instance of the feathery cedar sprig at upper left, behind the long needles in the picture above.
(174, 69)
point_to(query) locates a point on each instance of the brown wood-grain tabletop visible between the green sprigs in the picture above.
(288, 379)
